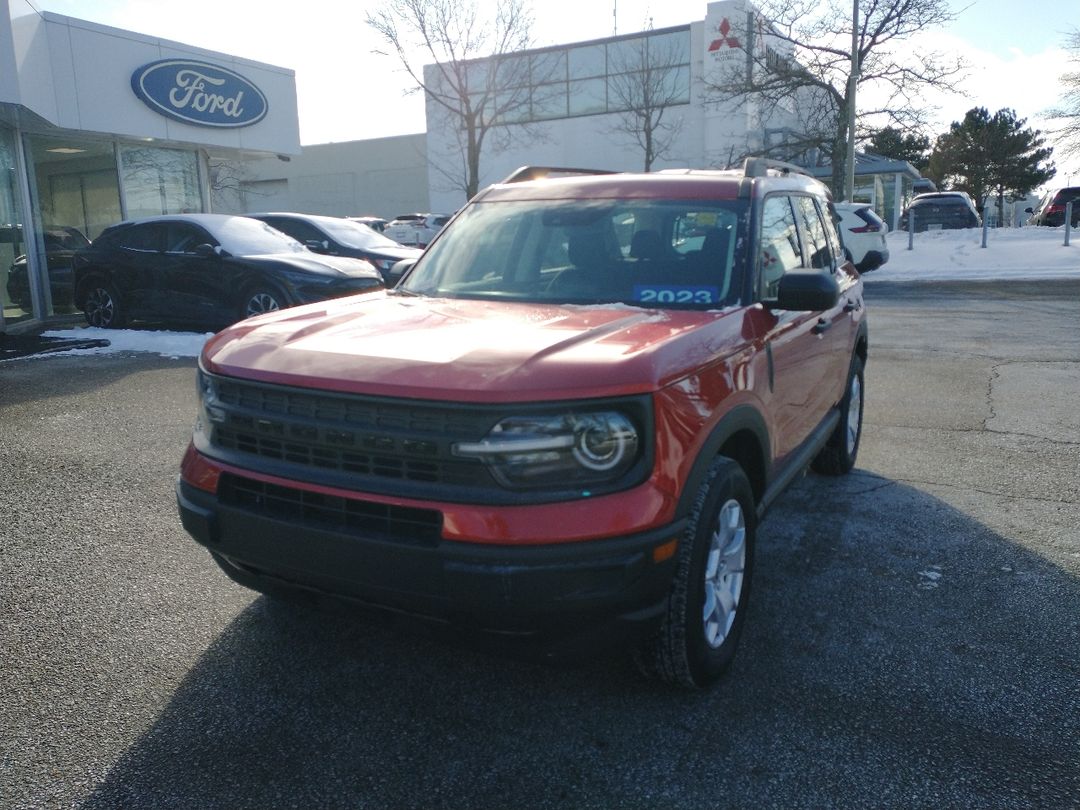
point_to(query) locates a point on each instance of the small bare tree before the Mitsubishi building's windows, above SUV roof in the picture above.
(650, 76)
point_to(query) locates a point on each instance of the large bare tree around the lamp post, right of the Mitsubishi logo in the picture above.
(800, 60)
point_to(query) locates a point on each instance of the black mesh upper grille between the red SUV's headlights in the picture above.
(364, 438)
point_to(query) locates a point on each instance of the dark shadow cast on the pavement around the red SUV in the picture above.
(898, 653)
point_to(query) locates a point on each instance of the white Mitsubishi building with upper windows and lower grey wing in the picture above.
(574, 103)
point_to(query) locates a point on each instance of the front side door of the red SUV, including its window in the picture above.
(799, 348)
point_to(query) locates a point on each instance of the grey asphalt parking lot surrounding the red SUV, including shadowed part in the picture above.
(914, 637)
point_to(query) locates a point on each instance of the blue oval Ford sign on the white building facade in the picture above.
(199, 93)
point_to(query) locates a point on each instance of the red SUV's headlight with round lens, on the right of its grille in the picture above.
(566, 450)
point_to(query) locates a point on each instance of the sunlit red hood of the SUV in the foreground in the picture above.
(472, 352)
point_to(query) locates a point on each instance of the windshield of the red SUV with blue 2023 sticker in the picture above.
(654, 253)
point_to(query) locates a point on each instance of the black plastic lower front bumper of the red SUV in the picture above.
(529, 590)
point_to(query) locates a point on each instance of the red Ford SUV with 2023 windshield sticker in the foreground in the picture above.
(568, 418)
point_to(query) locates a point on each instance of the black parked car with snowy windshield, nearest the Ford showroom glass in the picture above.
(206, 268)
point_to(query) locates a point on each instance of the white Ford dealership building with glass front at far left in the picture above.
(100, 125)
